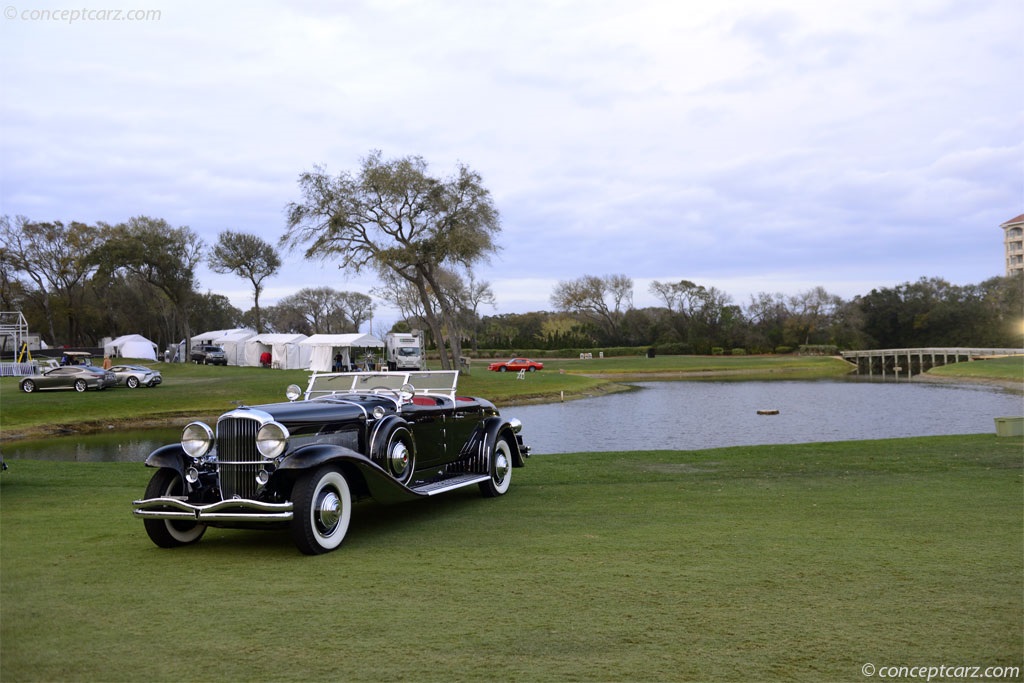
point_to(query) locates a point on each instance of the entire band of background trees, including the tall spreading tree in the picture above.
(423, 236)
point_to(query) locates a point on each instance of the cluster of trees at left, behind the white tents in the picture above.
(77, 284)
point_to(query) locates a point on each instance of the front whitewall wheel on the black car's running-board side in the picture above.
(323, 509)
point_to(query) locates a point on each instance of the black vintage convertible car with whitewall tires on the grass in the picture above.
(390, 437)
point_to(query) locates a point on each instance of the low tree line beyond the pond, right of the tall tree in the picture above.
(598, 312)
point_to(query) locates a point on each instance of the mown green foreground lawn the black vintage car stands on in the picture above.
(786, 563)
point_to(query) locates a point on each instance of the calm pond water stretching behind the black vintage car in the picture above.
(677, 416)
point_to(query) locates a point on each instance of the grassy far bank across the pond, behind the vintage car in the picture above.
(193, 392)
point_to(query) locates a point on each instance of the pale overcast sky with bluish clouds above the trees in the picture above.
(752, 146)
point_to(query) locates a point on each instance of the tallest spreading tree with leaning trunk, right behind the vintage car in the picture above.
(397, 220)
